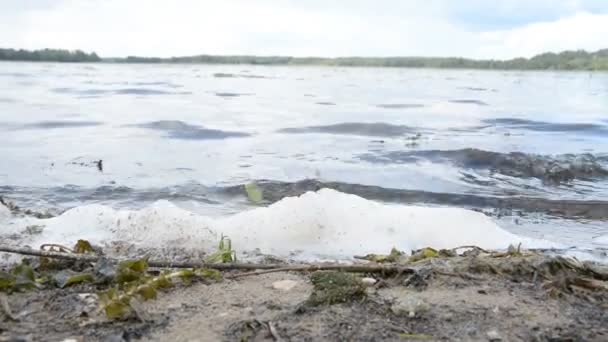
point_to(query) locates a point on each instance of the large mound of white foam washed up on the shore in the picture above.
(326, 223)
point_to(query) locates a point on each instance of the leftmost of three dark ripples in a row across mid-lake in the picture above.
(181, 130)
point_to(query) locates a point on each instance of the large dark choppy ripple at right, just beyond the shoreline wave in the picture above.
(553, 169)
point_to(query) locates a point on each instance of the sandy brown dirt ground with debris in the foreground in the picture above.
(459, 300)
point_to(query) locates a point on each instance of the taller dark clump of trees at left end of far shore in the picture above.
(48, 55)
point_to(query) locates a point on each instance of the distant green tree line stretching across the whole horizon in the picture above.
(567, 60)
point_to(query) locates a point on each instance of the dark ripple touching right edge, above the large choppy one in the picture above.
(541, 126)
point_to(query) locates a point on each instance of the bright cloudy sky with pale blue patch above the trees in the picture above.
(469, 28)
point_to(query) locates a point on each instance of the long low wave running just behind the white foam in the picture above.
(61, 198)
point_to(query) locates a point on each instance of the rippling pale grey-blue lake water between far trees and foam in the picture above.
(529, 149)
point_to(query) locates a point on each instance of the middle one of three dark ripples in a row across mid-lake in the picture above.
(376, 129)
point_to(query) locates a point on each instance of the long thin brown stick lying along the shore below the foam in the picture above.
(374, 268)
